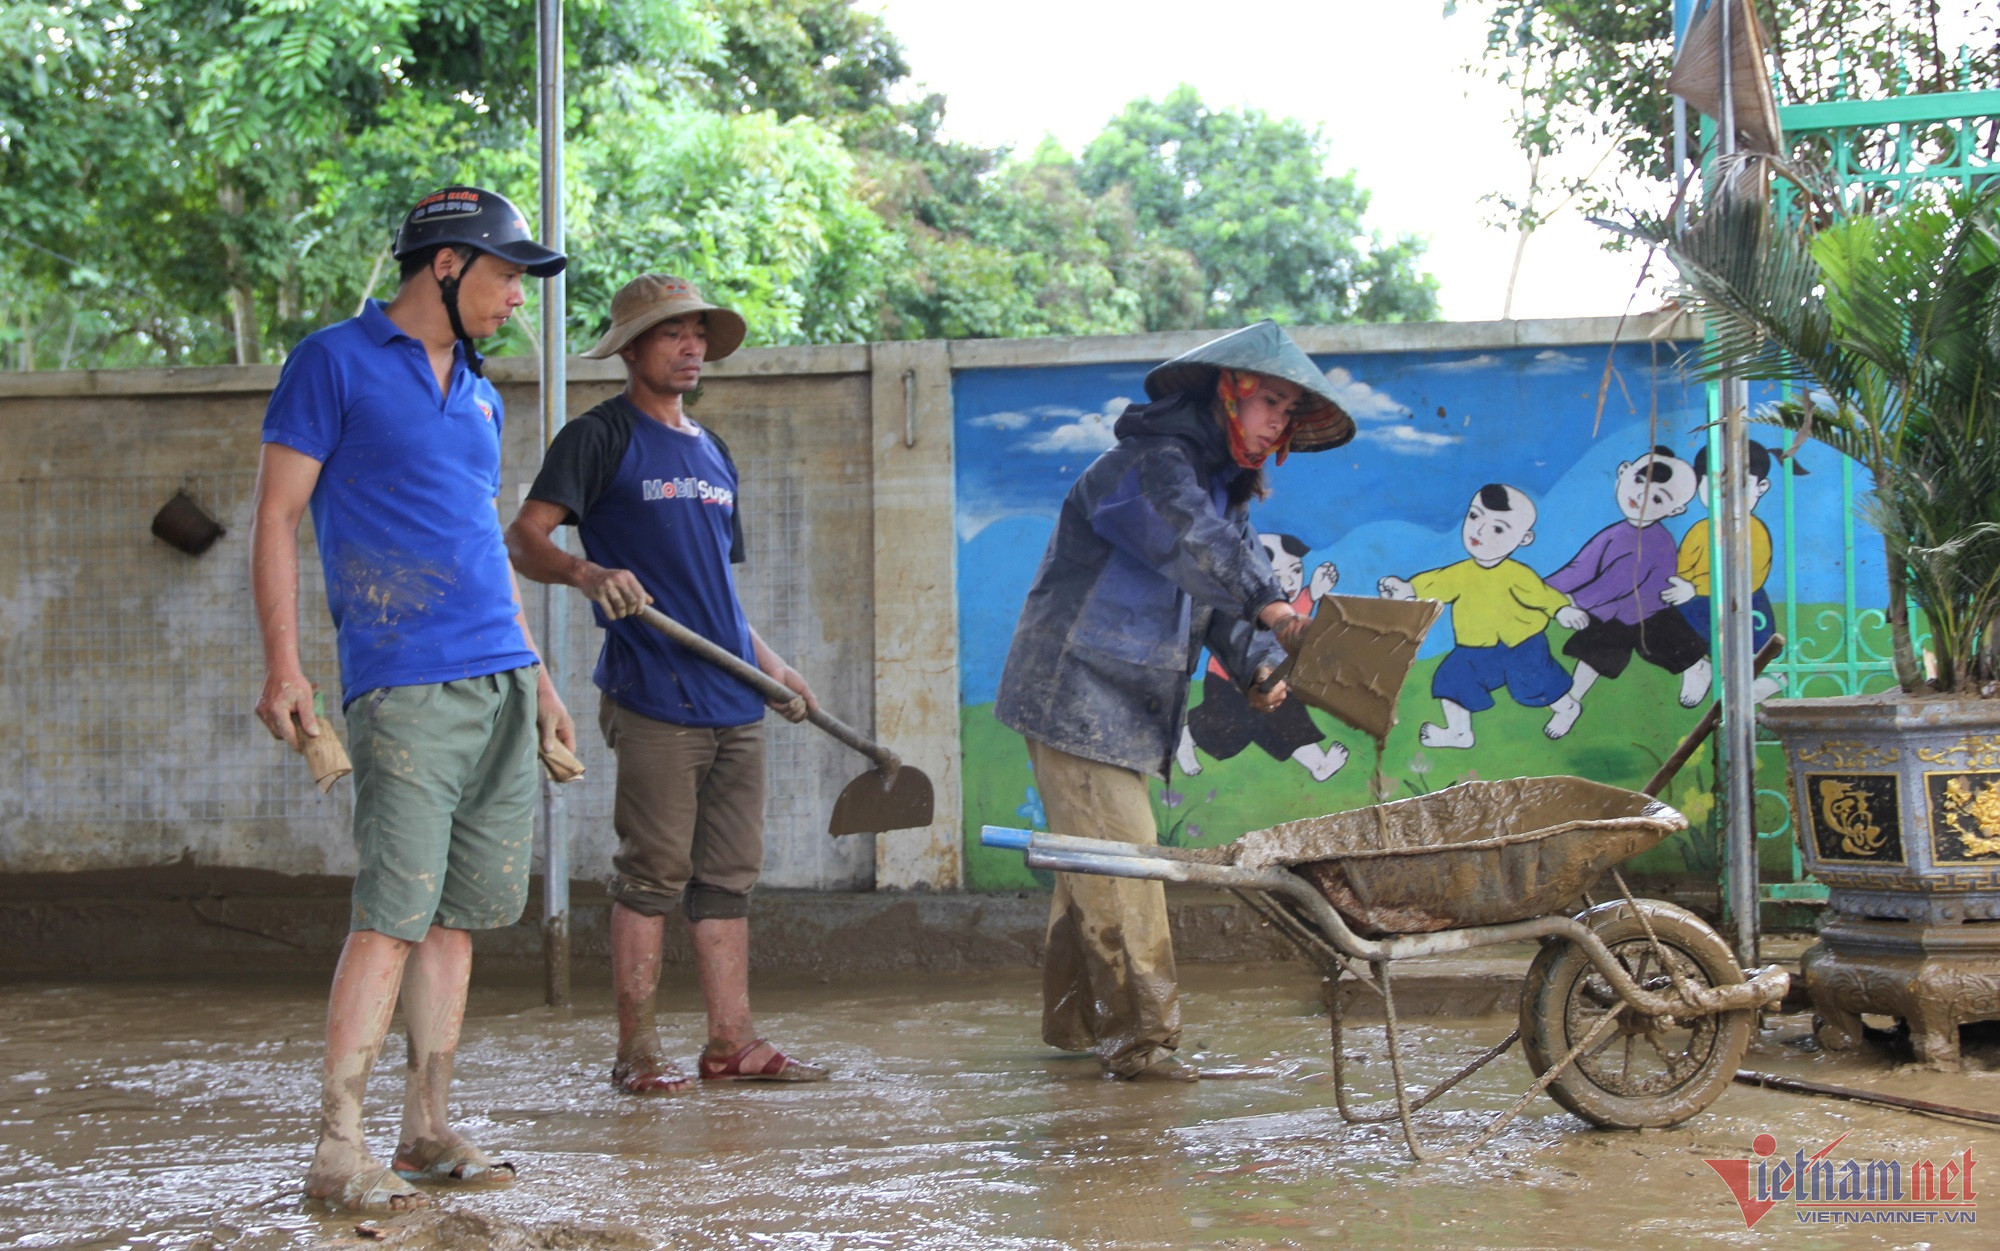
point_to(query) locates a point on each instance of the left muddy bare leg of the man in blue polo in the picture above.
(357, 1020)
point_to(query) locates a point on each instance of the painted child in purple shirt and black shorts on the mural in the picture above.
(1619, 579)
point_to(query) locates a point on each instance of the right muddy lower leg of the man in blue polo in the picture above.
(435, 1010)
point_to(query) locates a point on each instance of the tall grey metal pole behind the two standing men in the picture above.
(555, 409)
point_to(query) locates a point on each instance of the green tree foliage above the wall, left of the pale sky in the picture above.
(205, 181)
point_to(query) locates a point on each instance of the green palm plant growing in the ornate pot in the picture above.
(1889, 329)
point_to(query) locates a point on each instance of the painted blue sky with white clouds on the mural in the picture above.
(1435, 429)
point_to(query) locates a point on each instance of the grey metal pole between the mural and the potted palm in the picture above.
(1733, 583)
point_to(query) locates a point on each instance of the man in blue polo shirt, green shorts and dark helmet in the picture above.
(385, 429)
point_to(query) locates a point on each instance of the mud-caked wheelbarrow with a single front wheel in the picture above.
(1635, 1012)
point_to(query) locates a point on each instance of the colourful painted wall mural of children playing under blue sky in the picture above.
(1489, 481)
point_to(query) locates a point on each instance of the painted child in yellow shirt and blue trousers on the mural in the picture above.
(1501, 615)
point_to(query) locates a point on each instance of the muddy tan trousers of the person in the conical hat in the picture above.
(1109, 980)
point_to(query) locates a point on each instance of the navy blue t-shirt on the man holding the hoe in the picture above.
(663, 505)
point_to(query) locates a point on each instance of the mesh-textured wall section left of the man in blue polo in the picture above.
(133, 668)
